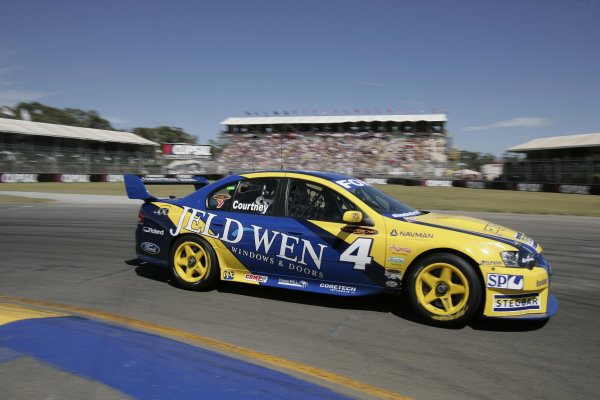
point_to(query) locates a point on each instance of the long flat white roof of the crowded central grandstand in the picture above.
(333, 119)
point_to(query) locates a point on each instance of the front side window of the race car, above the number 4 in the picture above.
(309, 200)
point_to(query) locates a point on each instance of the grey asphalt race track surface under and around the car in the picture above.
(81, 255)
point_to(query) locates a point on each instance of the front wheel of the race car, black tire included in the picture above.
(444, 289)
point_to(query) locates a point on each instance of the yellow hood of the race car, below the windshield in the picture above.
(474, 226)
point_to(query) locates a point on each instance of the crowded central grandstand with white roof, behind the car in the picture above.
(360, 145)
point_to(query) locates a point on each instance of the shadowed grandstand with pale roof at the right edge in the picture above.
(572, 159)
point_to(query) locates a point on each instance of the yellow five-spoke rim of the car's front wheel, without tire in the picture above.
(442, 289)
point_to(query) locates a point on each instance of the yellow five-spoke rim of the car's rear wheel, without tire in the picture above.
(191, 262)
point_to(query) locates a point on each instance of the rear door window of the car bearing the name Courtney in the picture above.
(255, 196)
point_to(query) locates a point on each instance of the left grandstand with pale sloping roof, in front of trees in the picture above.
(34, 147)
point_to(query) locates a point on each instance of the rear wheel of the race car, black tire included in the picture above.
(194, 263)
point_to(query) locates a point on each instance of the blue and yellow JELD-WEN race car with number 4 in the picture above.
(330, 233)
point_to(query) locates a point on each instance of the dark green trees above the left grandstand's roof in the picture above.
(70, 116)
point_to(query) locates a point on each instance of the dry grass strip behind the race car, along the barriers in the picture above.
(424, 198)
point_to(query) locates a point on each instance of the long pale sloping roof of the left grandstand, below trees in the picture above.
(71, 132)
